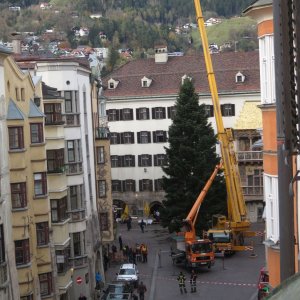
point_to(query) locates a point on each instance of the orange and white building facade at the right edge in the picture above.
(262, 11)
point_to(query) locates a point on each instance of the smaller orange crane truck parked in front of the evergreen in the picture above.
(187, 248)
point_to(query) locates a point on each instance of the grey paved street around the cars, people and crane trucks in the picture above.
(235, 280)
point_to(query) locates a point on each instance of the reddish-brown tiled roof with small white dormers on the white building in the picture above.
(167, 77)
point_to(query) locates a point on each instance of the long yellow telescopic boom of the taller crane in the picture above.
(235, 200)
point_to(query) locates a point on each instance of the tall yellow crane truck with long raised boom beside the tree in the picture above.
(227, 233)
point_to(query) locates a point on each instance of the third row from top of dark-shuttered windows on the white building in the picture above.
(144, 160)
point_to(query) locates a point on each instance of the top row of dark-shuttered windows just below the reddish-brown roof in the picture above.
(143, 113)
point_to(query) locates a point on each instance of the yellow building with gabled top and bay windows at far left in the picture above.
(28, 183)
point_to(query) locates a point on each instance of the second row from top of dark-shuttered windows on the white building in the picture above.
(143, 137)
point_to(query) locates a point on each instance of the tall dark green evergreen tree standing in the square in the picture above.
(191, 159)
